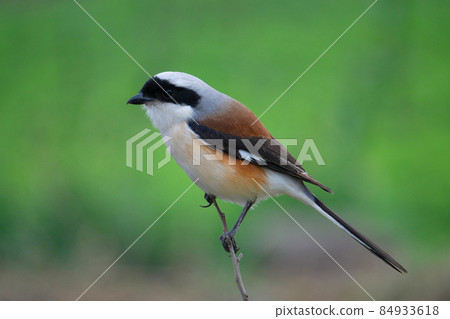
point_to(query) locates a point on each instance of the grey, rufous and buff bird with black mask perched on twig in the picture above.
(230, 155)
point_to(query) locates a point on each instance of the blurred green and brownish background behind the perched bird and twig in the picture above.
(376, 106)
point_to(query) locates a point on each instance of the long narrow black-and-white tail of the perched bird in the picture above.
(363, 240)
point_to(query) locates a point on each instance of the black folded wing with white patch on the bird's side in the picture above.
(270, 154)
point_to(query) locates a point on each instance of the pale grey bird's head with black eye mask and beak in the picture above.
(173, 97)
